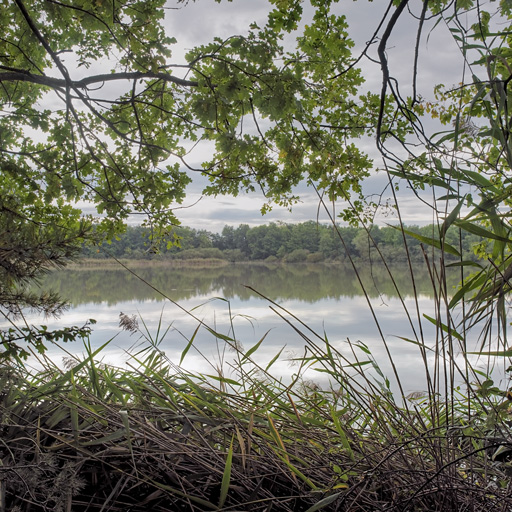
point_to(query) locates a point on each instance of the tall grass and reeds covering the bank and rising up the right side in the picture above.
(156, 437)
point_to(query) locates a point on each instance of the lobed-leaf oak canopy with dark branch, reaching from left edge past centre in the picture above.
(119, 138)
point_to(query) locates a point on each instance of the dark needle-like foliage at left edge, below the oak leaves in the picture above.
(34, 239)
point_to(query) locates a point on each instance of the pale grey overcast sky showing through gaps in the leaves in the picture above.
(198, 22)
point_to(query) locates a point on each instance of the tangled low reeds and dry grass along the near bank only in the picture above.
(154, 437)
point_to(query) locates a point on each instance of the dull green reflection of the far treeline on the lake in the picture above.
(308, 282)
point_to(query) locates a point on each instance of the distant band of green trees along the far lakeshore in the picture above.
(292, 243)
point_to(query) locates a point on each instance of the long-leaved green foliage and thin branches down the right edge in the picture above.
(468, 162)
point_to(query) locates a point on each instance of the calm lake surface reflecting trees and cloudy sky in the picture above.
(328, 299)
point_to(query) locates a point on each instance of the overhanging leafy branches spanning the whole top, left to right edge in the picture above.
(121, 138)
